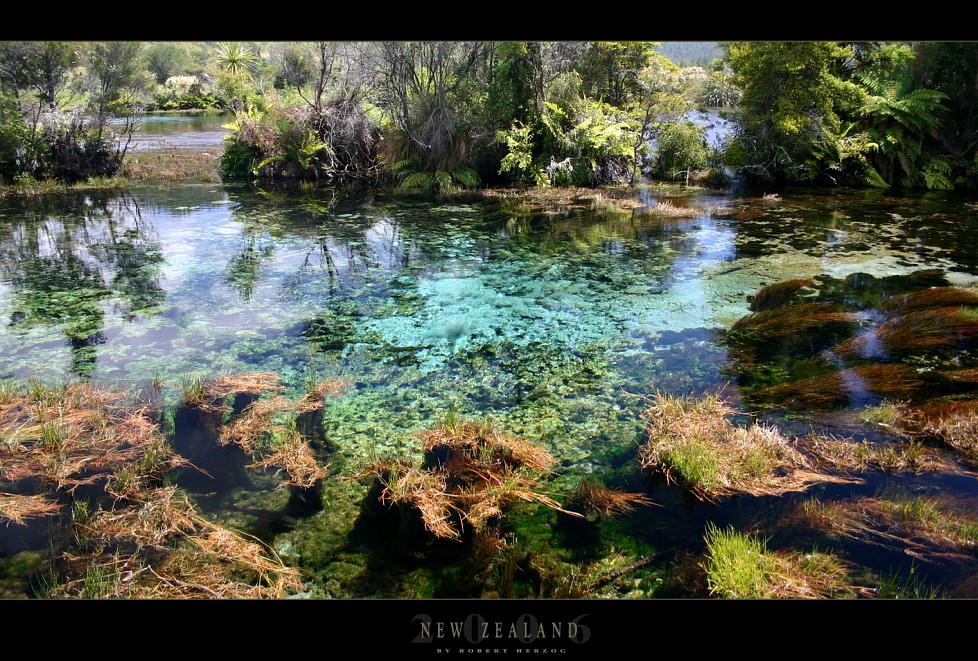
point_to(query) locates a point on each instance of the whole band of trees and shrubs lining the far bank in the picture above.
(442, 116)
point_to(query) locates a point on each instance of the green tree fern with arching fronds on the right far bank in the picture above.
(898, 120)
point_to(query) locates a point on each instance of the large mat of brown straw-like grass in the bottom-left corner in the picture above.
(134, 538)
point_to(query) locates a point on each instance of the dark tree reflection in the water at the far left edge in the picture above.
(65, 269)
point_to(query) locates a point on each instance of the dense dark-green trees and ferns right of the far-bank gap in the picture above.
(889, 115)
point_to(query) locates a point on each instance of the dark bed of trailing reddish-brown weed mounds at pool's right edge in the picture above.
(912, 347)
